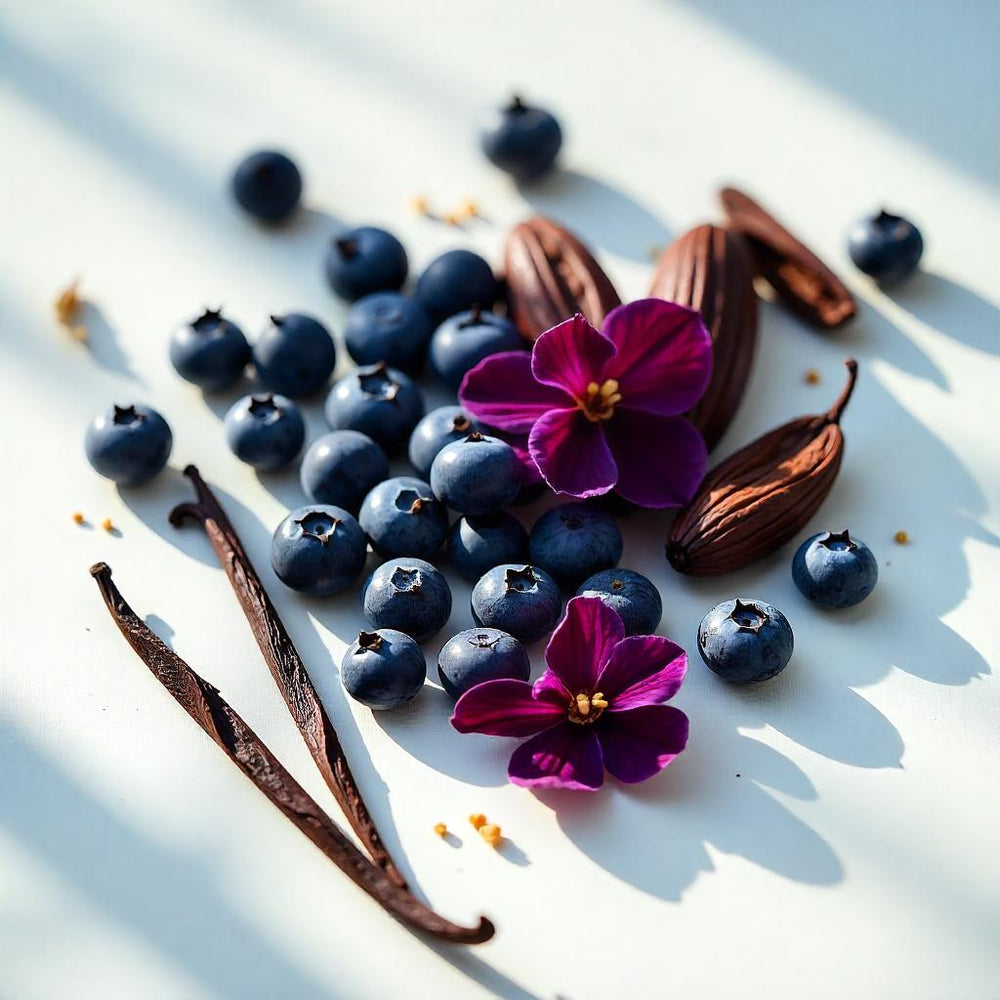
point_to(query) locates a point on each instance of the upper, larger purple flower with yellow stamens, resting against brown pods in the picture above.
(597, 411)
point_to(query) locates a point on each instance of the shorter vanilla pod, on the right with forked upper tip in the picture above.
(286, 666)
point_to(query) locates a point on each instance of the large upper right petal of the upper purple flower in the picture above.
(664, 356)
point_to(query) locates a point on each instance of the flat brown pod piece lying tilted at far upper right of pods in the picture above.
(800, 279)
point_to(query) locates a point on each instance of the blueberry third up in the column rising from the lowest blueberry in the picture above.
(402, 517)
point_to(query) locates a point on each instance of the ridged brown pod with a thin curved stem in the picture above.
(762, 496)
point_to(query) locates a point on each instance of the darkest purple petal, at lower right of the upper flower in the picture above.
(661, 460)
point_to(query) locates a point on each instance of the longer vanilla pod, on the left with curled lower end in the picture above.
(203, 702)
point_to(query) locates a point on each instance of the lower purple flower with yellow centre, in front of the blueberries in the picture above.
(597, 706)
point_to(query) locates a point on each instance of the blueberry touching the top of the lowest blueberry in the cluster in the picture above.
(410, 595)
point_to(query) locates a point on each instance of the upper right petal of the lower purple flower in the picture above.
(642, 670)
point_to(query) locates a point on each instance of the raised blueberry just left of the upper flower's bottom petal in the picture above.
(477, 475)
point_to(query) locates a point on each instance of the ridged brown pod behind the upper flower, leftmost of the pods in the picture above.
(551, 276)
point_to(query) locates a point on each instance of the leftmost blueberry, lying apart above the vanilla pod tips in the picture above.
(128, 444)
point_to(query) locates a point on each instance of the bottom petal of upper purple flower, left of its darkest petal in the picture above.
(572, 454)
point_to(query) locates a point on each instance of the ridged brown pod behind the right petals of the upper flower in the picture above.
(710, 269)
